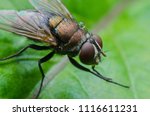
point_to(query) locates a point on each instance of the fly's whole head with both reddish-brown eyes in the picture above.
(91, 50)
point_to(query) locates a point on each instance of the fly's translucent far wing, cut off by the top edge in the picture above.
(51, 6)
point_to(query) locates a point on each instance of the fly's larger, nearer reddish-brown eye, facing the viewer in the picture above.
(87, 54)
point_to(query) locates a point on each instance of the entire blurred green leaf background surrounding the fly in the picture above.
(124, 26)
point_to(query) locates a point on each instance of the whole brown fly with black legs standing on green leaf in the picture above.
(52, 23)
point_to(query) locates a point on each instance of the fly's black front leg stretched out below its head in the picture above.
(96, 73)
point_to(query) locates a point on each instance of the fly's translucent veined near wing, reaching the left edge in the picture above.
(31, 24)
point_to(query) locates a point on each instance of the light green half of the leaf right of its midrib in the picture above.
(127, 62)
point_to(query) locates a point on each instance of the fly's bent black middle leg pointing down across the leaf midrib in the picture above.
(40, 62)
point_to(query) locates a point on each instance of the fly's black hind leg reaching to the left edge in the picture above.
(32, 46)
